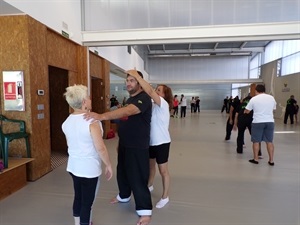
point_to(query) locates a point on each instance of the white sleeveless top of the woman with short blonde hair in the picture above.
(84, 160)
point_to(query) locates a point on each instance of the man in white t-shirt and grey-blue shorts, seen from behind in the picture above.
(262, 128)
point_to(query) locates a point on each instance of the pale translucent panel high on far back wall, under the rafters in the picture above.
(198, 68)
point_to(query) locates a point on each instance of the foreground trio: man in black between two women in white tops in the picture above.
(144, 141)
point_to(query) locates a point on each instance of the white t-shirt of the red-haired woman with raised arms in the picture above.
(159, 132)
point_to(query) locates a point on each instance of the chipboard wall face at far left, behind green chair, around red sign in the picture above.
(14, 51)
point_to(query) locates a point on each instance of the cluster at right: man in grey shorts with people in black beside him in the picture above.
(256, 114)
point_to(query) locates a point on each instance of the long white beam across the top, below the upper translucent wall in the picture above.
(246, 32)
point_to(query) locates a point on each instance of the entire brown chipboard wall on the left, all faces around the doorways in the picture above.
(28, 45)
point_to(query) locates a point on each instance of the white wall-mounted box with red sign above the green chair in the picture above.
(13, 91)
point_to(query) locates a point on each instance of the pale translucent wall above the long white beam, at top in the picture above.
(135, 14)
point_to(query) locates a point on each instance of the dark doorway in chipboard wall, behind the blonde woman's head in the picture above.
(59, 108)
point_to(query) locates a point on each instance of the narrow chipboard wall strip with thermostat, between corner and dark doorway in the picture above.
(40, 133)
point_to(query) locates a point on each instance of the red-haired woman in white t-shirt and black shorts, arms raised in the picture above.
(160, 139)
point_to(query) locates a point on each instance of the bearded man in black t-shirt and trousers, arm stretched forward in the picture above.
(133, 148)
